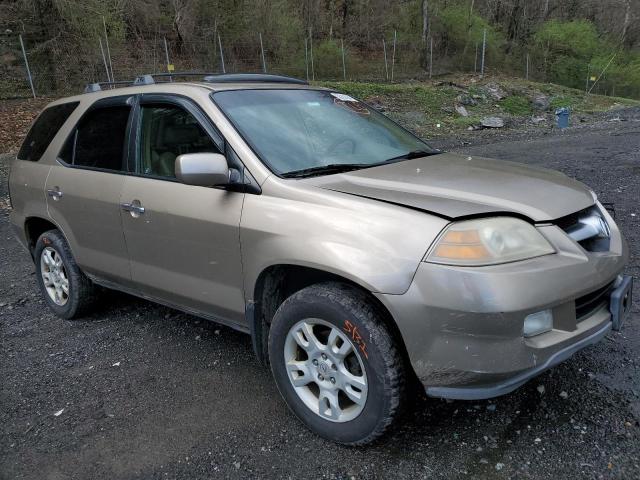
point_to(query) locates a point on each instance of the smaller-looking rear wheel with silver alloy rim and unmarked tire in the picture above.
(67, 290)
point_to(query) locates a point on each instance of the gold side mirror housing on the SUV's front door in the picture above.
(203, 169)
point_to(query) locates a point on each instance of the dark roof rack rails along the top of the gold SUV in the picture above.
(149, 79)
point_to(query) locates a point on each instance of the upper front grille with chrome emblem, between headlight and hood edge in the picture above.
(588, 228)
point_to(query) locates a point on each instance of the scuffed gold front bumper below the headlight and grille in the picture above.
(463, 327)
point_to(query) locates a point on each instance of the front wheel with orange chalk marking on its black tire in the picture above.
(336, 363)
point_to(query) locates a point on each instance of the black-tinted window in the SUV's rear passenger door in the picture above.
(99, 140)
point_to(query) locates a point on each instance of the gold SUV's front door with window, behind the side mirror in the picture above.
(183, 240)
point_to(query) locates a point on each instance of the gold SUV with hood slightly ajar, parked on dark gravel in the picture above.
(358, 258)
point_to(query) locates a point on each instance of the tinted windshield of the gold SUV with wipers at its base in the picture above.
(316, 131)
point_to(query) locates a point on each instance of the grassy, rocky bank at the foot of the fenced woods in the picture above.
(431, 109)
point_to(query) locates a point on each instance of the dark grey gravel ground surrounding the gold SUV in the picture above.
(148, 392)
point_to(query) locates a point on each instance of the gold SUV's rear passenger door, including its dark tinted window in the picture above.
(84, 188)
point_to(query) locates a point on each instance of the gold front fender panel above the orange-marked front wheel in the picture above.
(374, 244)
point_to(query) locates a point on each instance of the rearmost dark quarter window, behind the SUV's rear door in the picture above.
(44, 129)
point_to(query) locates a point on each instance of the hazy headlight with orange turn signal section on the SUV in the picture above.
(488, 241)
